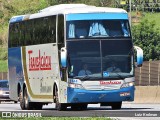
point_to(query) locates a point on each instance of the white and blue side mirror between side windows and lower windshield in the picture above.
(63, 57)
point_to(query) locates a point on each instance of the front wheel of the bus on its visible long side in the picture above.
(59, 106)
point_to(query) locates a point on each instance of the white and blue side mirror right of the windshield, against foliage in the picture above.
(139, 59)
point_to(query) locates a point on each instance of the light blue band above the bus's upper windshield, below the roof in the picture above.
(96, 16)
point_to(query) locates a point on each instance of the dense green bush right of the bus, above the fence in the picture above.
(146, 36)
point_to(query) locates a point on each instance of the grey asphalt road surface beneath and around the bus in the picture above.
(94, 110)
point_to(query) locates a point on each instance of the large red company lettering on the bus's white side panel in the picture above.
(40, 62)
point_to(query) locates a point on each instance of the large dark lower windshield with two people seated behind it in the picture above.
(94, 59)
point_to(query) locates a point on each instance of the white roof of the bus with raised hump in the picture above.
(66, 9)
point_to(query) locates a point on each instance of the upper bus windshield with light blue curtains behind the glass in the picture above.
(90, 29)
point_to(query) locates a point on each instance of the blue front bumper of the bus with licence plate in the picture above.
(99, 96)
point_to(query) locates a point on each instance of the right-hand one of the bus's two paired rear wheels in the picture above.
(28, 105)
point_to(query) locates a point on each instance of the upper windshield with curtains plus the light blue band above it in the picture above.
(88, 26)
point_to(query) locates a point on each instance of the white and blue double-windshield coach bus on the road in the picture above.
(47, 51)
